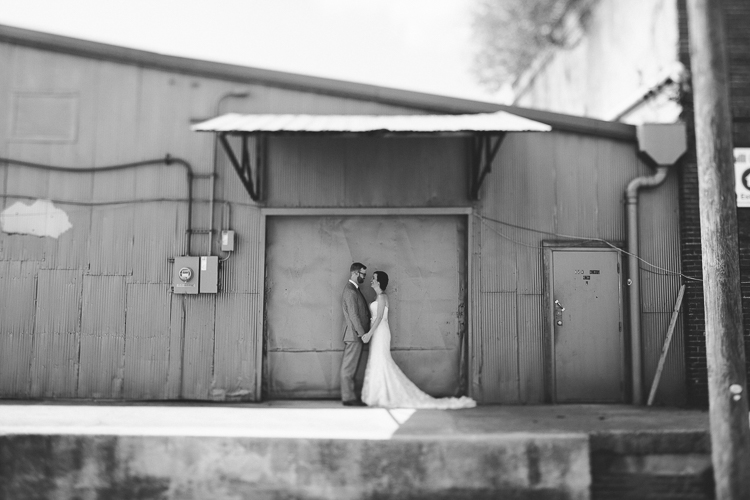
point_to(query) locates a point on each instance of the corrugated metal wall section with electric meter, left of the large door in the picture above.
(105, 324)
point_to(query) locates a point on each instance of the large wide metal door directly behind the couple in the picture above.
(307, 263)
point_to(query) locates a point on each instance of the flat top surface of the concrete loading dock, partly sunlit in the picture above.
(329, 420)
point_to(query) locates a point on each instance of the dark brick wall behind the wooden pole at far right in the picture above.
(738, 45)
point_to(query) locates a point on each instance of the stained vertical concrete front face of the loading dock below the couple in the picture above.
(514, 466)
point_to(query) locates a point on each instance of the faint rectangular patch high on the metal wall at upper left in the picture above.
(44, 116)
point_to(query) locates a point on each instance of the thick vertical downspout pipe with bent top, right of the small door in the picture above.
(631, 194)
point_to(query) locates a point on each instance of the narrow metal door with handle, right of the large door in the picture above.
(588, 342)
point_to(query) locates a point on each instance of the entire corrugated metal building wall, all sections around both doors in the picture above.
(90, 314)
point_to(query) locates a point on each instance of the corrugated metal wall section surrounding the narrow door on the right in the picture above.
(557, 184)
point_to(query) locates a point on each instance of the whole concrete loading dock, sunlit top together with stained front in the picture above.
(319, 449)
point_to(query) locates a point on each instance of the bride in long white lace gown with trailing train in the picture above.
(385, 384)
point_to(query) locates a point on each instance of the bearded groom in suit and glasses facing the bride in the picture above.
(356, 324)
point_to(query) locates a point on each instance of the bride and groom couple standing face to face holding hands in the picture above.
(385, 384)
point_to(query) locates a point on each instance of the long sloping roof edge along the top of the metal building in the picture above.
(339, 88)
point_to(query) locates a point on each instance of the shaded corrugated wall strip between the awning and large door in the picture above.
(367, 172)
